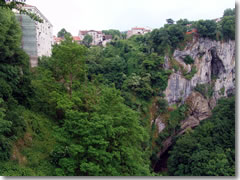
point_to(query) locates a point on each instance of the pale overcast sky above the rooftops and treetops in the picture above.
(75, 15)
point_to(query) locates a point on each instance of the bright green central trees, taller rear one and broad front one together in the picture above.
(97, 133)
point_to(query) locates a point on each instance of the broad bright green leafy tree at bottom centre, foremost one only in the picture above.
(106, 139)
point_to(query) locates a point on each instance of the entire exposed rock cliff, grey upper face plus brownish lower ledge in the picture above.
(215, 64)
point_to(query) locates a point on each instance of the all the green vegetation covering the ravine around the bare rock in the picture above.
(89, 110)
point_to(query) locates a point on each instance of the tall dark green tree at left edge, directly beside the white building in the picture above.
(14, 62)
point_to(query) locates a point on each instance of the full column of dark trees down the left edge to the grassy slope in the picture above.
(15, 82)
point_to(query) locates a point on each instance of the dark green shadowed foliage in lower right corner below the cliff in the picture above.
(208, 150)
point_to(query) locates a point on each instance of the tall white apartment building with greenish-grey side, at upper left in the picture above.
(37, 39)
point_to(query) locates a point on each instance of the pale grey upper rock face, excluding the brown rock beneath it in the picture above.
(213, 60)
